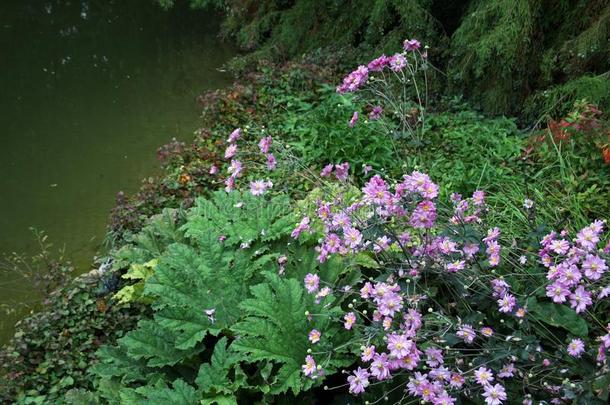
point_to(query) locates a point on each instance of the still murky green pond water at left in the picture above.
(88, 91)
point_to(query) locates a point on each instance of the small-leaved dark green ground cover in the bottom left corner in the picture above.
(52, 350)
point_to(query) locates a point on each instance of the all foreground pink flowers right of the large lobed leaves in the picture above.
(398, 223)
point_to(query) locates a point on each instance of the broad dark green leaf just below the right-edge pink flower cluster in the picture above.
(557, 315)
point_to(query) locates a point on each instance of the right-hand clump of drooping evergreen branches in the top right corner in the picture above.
(505, 51)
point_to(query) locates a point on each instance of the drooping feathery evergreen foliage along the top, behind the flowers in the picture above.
(499, 54)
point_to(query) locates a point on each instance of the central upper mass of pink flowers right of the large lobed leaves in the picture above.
(410, 204)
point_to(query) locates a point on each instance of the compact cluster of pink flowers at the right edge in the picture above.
(575, 269)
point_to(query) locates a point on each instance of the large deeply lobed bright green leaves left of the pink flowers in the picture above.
(201, 271)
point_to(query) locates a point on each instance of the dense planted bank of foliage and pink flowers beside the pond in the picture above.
(297, 251)
